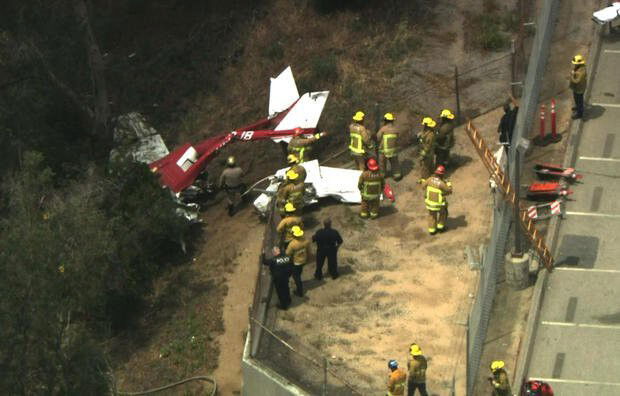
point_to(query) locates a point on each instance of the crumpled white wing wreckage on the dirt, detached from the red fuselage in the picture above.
(327, 182)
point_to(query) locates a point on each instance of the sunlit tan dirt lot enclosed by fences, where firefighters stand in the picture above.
(400, 285)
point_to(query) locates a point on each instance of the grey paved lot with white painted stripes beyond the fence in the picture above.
(577, 341)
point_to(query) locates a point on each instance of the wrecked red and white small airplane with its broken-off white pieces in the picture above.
(181, 169)
